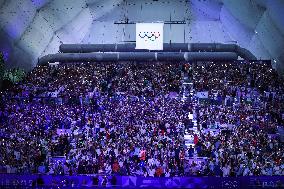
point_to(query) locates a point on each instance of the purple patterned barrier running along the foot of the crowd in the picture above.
(88, 181)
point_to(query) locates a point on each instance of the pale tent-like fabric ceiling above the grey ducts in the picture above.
(30, 29)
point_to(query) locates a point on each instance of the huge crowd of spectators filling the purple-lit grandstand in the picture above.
(130, 119)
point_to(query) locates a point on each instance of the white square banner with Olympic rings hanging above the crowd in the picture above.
(149, 36)
